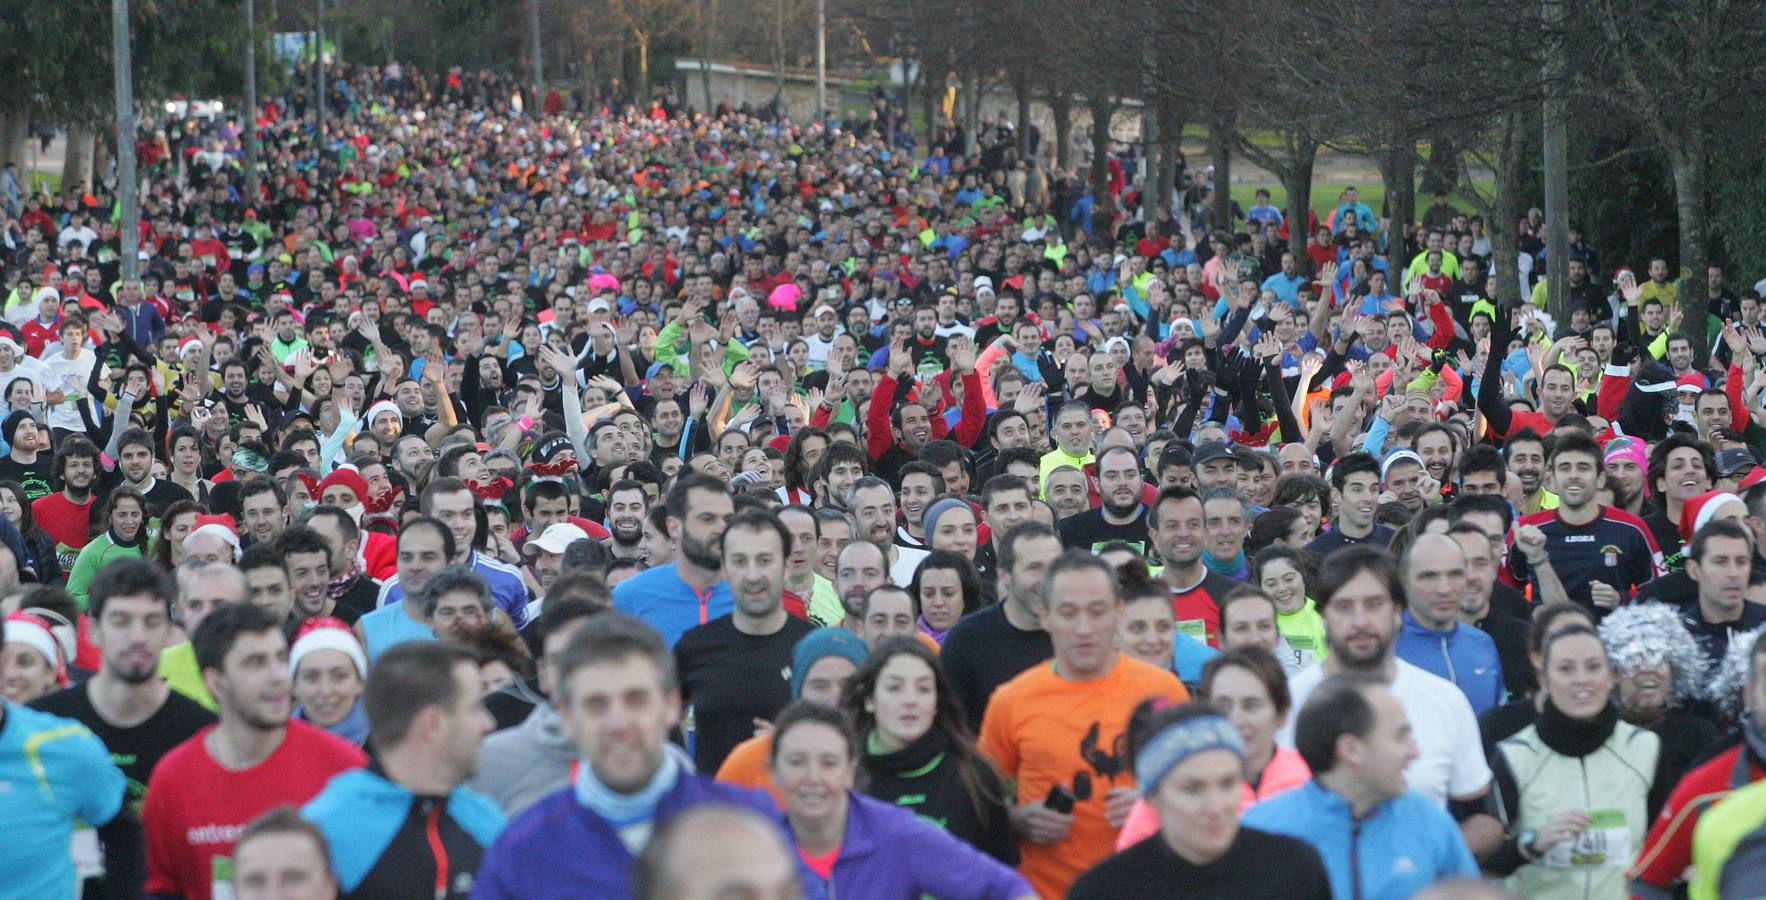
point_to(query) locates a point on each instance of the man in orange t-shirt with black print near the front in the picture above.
(1060, 730)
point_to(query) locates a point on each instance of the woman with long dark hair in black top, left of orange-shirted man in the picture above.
(919, 751)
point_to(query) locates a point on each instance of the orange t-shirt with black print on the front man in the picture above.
(1046, 731)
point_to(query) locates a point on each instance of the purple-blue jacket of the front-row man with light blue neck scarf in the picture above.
(561, 850)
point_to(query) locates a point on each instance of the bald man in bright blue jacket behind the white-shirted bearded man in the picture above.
(1433, 640)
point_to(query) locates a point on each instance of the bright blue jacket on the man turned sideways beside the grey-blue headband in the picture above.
(1391, 853)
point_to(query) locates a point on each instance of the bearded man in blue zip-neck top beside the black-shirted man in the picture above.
(691, 590)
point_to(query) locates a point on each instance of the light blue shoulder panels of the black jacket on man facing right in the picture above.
(361, 813)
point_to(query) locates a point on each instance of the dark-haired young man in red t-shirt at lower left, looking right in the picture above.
(255, 760)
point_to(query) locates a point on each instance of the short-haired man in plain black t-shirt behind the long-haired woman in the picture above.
(730, 668)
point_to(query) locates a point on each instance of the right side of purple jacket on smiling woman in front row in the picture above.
(891, 853)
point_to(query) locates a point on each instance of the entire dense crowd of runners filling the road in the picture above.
(623, 500)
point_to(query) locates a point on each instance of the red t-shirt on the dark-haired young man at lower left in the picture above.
(195, 809)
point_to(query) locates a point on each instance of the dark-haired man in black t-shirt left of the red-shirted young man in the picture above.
(126, 705)
